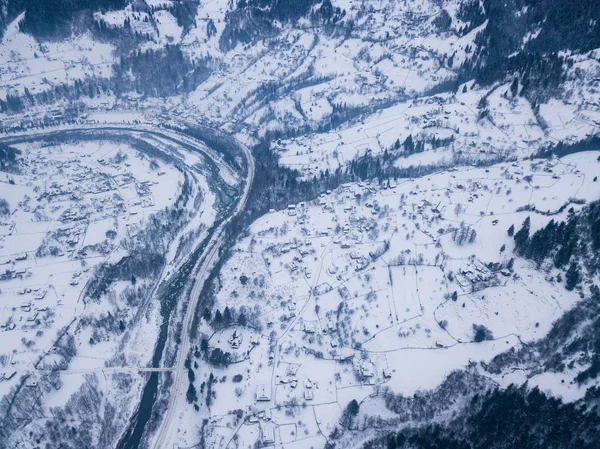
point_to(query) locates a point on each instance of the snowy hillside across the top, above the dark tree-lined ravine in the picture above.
(379, 73)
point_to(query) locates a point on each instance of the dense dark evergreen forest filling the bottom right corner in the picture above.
(511, 418)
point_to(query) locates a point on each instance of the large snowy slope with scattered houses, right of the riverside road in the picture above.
(381, 285)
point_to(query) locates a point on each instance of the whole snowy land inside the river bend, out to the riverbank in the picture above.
(79, 204)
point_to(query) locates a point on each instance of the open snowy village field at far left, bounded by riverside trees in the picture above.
(70, 209)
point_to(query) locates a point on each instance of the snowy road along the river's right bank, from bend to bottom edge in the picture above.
(207, 261)
